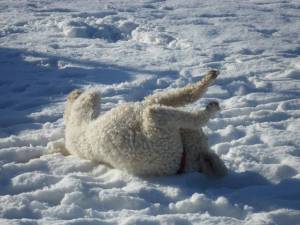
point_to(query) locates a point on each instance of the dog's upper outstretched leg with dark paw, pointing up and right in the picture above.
(185, 95)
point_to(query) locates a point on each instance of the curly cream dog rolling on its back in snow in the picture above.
(148, 138)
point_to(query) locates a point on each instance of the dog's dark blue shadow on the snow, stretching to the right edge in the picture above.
(241, 188)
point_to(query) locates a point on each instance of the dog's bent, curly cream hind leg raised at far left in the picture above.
(85, 108)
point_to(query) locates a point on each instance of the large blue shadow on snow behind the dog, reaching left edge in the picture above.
(32, 82)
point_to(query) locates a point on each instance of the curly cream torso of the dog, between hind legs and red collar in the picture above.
(119, 140)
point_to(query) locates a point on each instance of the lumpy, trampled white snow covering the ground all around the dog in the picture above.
(128, 49)
